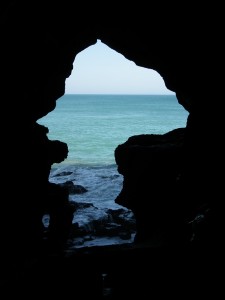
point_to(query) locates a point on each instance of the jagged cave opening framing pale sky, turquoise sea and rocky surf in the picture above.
(107, 99)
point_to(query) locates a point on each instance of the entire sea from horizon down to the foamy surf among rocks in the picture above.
(93, 125)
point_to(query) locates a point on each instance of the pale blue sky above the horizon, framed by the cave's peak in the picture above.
(100, 70)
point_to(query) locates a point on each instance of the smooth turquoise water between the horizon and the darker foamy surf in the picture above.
(94, 125)
